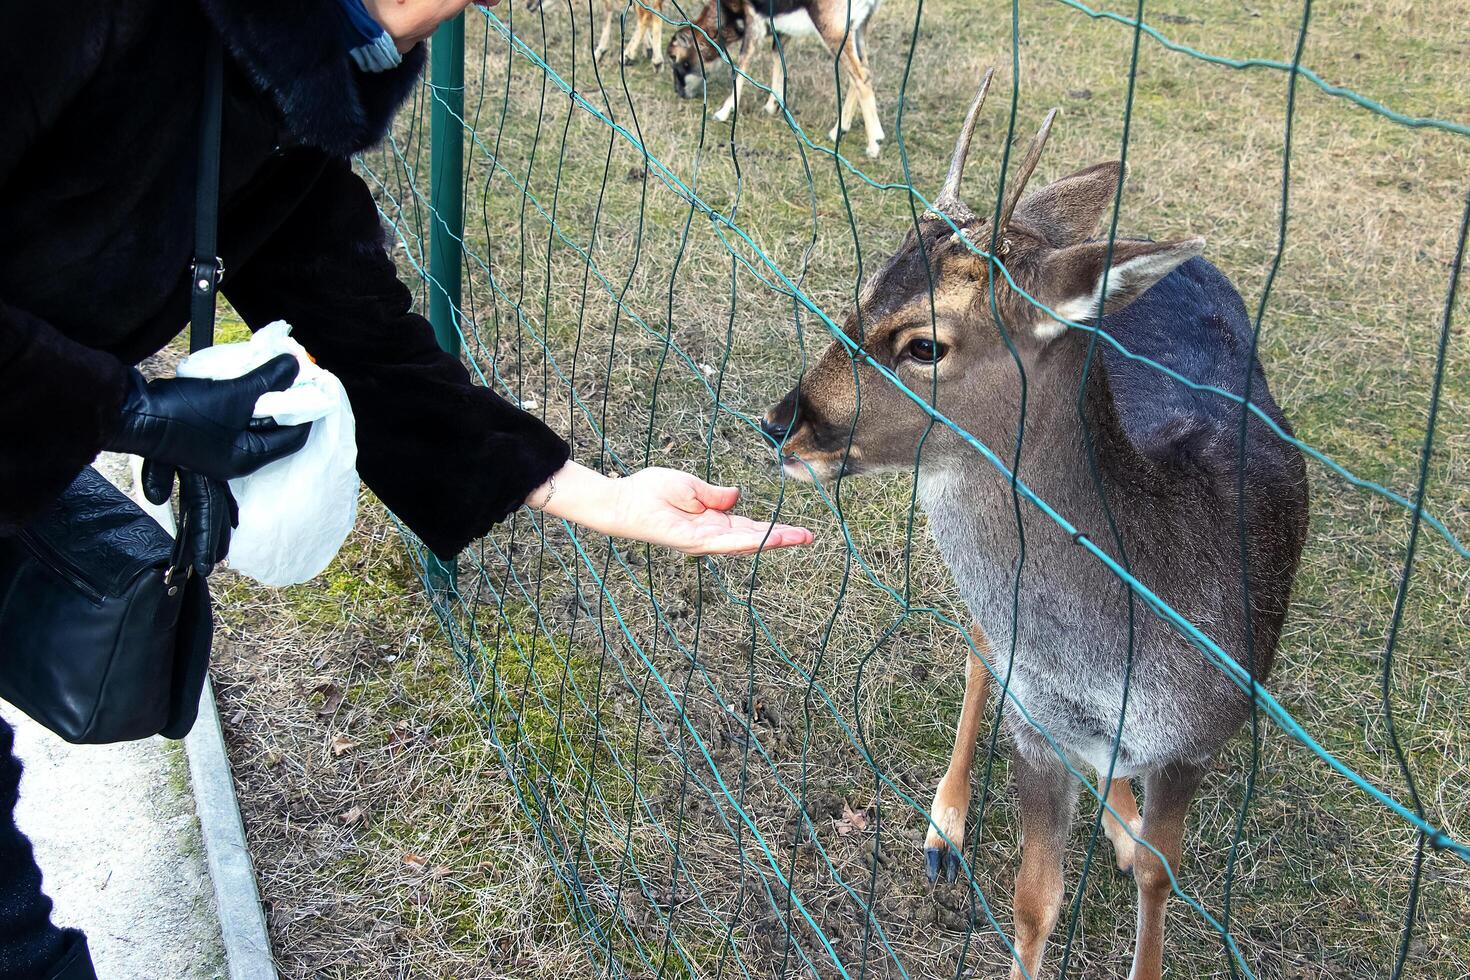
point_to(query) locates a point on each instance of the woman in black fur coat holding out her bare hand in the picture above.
(99, 123)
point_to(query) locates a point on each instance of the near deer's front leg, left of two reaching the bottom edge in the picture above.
(1047, 799)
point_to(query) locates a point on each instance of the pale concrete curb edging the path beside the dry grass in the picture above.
(237, 900)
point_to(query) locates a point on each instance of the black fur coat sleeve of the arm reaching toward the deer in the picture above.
(448, 456)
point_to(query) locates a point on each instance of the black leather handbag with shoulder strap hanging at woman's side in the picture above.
(105, 630)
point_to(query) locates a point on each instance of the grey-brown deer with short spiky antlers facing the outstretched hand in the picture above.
(1168, 462)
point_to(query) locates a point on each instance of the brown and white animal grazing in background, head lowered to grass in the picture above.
(842, 26)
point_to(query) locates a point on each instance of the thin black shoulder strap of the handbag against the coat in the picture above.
(208, 268)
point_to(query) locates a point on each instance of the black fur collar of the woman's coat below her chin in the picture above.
(296, 52)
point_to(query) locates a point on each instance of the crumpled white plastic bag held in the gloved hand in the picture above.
(295, 514)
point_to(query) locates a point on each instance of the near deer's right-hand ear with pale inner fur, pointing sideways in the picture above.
(1072, 278)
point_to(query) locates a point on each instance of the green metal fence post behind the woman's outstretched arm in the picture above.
(448, 203)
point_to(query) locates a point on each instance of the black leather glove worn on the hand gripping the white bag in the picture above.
(207, 427)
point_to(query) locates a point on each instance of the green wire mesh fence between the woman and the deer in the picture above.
(728, 763)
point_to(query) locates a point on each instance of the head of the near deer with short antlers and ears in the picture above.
(927, 317)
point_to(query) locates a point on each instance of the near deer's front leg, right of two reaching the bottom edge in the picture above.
(1168, 794)
